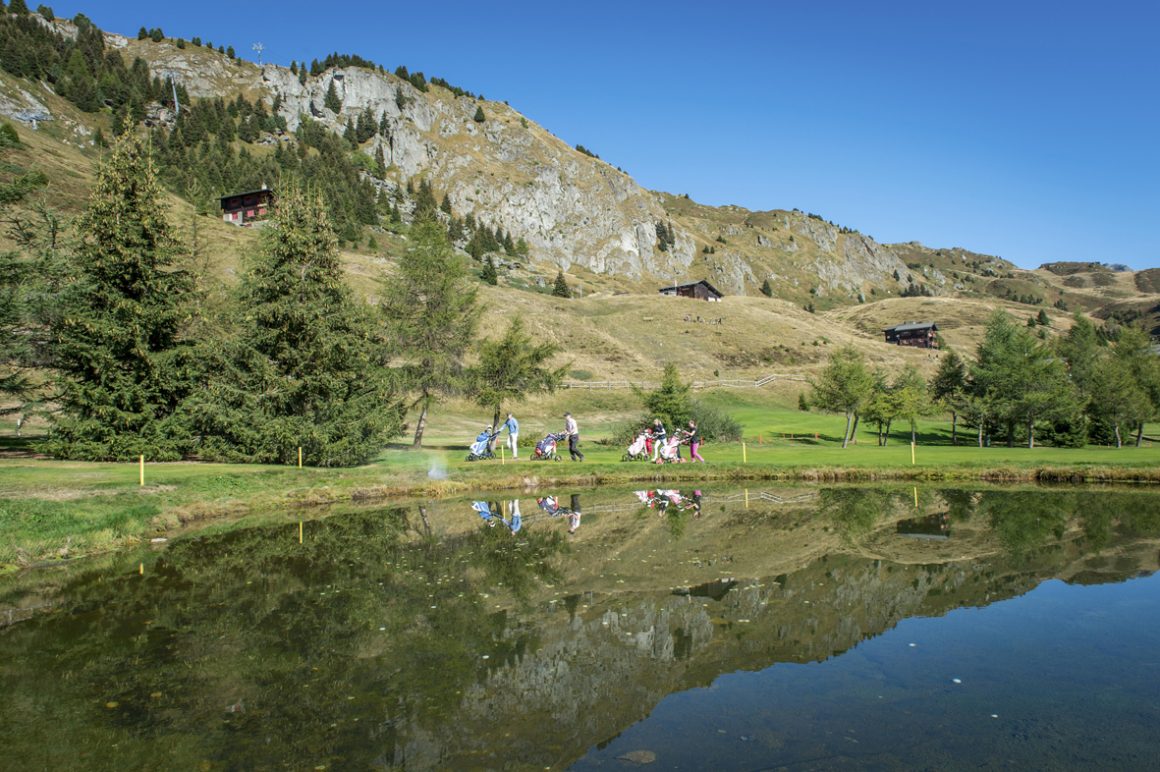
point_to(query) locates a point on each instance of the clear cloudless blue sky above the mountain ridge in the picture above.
(1028, 130)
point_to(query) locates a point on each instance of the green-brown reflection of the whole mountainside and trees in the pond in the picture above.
(423, 638)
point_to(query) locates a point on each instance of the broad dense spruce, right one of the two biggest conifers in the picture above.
(306, 368)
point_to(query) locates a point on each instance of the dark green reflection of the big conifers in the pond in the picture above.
(362, 622)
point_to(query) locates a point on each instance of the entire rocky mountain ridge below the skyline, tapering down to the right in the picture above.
(575, 212)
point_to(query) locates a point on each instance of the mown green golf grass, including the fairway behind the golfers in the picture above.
(57, 509)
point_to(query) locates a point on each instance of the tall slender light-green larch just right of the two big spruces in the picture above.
(430, 314)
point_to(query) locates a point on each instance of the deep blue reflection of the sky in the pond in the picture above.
(1063, 678)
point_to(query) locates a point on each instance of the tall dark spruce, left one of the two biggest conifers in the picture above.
(118, 336)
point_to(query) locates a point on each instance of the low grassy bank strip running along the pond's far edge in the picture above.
(55, 511)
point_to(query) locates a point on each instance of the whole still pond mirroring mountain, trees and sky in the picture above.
(835, 628)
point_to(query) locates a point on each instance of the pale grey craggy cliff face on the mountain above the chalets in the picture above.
(574, 210)
